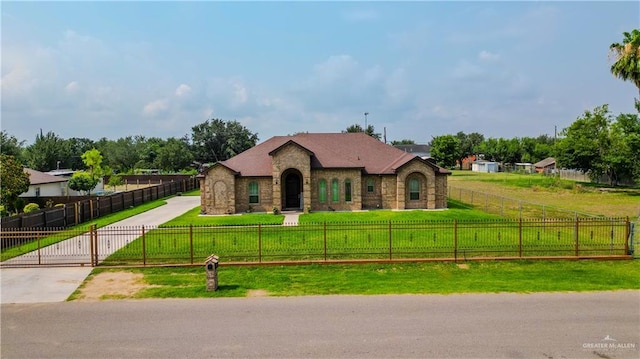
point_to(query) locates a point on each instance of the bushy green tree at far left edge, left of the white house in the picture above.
(14, 180)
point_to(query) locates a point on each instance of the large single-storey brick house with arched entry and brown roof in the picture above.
(322, 172)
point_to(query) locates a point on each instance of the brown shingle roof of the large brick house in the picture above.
(327, 150)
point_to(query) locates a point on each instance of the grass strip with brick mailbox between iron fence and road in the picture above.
(392, 278)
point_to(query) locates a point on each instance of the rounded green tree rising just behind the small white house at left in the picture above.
(45, 152)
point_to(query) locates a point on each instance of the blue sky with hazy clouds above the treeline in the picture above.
(420, 69)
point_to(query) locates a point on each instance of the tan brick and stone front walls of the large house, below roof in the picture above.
(296, 184)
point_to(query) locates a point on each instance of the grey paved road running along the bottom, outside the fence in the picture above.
(543, 325)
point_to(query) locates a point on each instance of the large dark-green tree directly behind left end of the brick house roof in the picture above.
(216, 140)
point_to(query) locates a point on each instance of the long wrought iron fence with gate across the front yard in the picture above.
(325, 242)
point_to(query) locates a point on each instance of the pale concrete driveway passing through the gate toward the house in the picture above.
(39, 285)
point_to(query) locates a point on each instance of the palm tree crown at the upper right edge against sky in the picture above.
(627, 58)
